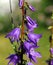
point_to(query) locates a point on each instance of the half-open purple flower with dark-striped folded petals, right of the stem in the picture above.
(31, 24)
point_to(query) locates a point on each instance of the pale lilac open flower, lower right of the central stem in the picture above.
(32, 55)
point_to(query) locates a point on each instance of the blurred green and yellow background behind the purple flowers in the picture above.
(42, 14)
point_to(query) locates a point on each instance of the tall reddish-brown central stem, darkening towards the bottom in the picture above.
(22, 33)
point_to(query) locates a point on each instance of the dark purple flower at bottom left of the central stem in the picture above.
(14, 58)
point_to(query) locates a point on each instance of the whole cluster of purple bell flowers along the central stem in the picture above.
(29, 43)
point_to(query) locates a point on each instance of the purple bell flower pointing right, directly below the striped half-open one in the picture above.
(34, 37)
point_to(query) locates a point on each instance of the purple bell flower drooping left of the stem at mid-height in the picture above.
(14, 34)
